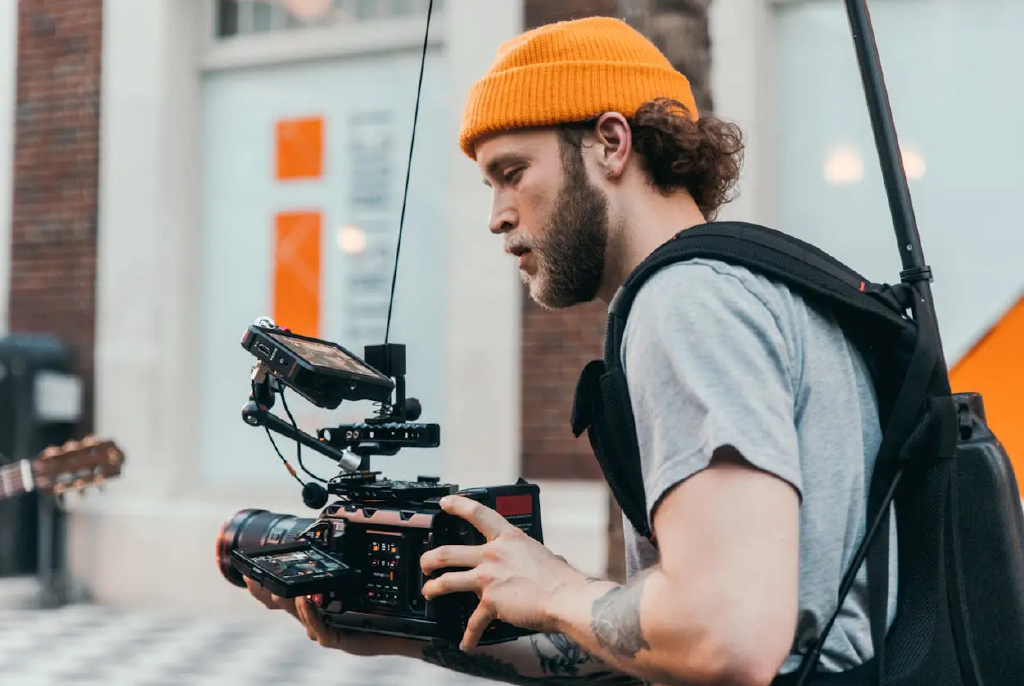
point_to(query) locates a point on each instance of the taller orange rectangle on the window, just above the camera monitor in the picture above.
(297, 272)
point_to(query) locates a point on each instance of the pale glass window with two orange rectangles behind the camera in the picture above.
(303, 197)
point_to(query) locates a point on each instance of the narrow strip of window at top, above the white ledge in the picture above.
(243, 18)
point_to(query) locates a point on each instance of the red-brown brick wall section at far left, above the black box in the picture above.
(57, 151)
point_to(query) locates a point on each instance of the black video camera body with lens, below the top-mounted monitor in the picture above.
(361, 559)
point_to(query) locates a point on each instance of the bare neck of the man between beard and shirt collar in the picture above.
(647, 222)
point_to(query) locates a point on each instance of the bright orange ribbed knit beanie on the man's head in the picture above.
(570, 72)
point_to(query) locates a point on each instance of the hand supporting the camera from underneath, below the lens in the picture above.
(355, 644)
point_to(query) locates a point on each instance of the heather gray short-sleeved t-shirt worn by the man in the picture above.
(715, 355)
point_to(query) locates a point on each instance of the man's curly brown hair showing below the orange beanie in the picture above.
(704, 157)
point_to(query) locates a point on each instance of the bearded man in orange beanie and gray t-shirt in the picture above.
(756, 419)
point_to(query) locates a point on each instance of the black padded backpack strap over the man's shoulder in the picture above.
(603, 408)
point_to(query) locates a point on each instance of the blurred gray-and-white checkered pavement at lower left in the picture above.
(87, 646)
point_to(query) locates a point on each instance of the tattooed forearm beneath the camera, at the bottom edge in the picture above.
(541, 660)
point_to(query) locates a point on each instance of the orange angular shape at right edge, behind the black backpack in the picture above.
(995, 368)
